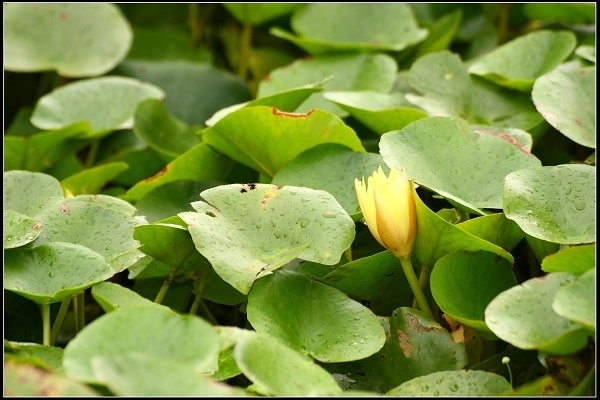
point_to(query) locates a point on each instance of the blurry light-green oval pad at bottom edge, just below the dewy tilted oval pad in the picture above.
(275, 369)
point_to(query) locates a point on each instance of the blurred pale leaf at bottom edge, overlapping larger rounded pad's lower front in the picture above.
(138, 374)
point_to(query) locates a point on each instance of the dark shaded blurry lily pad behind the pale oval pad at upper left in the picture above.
(193, 91)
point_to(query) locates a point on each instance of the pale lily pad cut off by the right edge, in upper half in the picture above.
(566, 99)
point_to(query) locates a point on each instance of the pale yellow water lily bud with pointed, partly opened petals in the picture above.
(389, 210)
